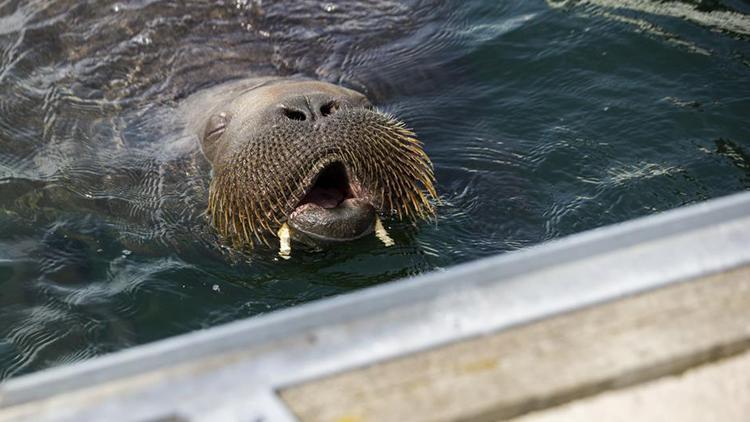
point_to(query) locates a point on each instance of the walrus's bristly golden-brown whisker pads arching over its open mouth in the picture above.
(380, 154)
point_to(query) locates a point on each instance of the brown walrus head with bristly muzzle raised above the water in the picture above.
(312, 155)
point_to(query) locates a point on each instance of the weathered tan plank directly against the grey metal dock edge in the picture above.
(546, 363)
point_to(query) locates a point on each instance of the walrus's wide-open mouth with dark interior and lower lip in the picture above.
(332, 211)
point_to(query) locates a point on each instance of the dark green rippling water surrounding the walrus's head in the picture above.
(542, 118)
